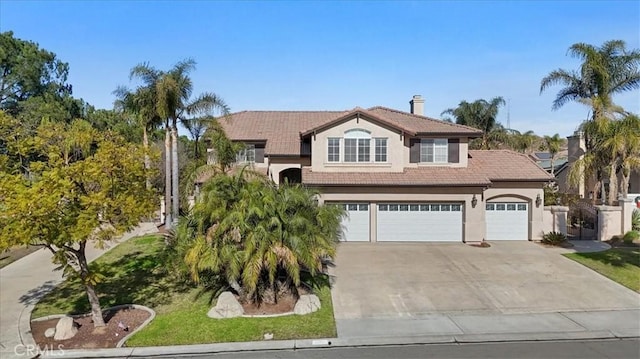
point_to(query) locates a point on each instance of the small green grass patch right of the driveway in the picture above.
(619, 264)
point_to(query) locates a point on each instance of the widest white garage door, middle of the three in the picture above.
(420, 222)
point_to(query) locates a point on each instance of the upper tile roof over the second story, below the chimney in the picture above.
(282, 129)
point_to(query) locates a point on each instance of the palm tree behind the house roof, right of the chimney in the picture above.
(482, 115)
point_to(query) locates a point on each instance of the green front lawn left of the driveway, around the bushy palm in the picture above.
(134, 275)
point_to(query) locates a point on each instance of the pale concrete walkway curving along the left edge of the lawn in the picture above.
(26, 280)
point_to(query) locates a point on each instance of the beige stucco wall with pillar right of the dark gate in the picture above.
(615, 220)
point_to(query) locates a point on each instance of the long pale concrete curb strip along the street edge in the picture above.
(306, 344)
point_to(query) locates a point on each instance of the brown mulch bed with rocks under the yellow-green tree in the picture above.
(89, 337)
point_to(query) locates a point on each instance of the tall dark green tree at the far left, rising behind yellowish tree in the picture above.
(28, 71)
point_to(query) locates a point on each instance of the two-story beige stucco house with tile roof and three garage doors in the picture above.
(400, 175)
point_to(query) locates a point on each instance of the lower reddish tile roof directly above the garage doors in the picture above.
(484, 167)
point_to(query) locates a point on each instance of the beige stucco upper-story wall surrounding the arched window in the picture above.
(397, 149)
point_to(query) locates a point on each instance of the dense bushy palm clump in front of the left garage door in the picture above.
(257, 236)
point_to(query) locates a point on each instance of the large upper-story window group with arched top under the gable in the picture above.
(357, 146)
